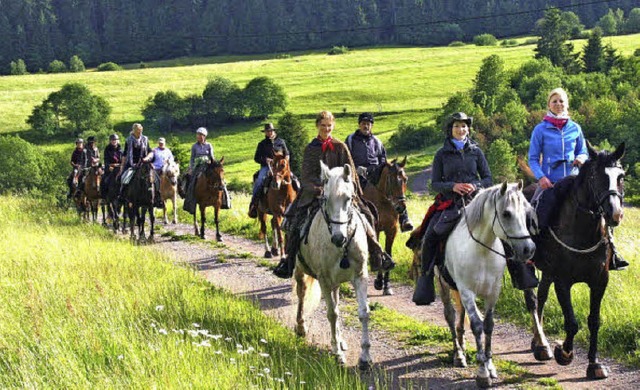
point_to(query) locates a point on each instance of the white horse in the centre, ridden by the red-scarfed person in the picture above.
(336, 252)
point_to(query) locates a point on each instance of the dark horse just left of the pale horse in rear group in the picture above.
(140, 200)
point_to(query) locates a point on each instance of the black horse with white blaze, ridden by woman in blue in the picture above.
(576, 250)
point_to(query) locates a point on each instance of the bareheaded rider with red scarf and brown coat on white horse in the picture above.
(335, 154)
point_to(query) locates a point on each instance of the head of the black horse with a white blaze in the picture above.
(601, 184)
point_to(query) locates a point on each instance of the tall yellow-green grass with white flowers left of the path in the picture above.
(81, 309)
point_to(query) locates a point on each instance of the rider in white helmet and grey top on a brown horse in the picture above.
(201, 155)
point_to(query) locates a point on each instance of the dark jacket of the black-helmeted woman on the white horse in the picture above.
(451, 166)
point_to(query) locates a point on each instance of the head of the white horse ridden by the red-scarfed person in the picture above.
(337, 201)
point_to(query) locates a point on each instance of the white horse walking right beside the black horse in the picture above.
(474, 259)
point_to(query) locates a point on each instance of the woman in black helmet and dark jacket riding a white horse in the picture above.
(459, 170)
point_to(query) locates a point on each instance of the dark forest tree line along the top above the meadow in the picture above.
(97, 31)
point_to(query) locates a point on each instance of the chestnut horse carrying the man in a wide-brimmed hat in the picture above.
(278, 197)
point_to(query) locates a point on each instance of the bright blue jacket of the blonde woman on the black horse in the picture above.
(552, 151)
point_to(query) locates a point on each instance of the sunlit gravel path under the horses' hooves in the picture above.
(404, 366)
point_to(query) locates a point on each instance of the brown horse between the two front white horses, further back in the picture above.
(388, 195)
